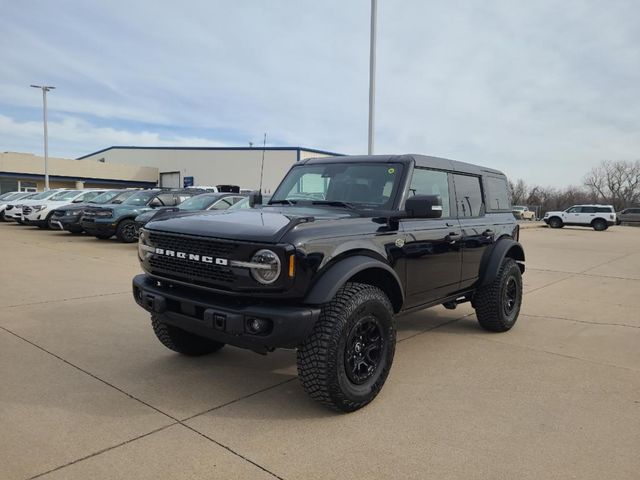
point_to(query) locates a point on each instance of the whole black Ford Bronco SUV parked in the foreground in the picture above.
(344, 245)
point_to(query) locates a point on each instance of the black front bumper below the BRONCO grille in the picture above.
(223, 319)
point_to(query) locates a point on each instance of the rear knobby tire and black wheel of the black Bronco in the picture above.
(498, 304)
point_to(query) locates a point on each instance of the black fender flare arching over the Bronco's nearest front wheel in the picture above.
(326, 287)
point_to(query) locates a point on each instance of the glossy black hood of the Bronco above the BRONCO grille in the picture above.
(265, 225)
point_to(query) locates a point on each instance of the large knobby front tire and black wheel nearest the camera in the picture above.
(345, 361)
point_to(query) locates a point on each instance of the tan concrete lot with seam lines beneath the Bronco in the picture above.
(86, 391)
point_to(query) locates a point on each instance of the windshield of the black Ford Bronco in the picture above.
(370, 185)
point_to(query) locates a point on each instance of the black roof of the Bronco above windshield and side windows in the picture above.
(419, 160)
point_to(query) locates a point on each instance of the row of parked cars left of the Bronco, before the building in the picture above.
(119, 212)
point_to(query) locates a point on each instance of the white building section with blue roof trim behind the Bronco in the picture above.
(207, 166)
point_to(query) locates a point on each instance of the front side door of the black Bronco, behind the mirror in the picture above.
(432, 245)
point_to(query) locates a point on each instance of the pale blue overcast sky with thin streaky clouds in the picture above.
(541, 90)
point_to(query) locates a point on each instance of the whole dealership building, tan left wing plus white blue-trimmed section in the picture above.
(176, 167)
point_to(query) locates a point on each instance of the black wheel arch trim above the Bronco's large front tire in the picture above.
(361, 269)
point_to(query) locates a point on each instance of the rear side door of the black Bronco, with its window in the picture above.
(477, 235)
